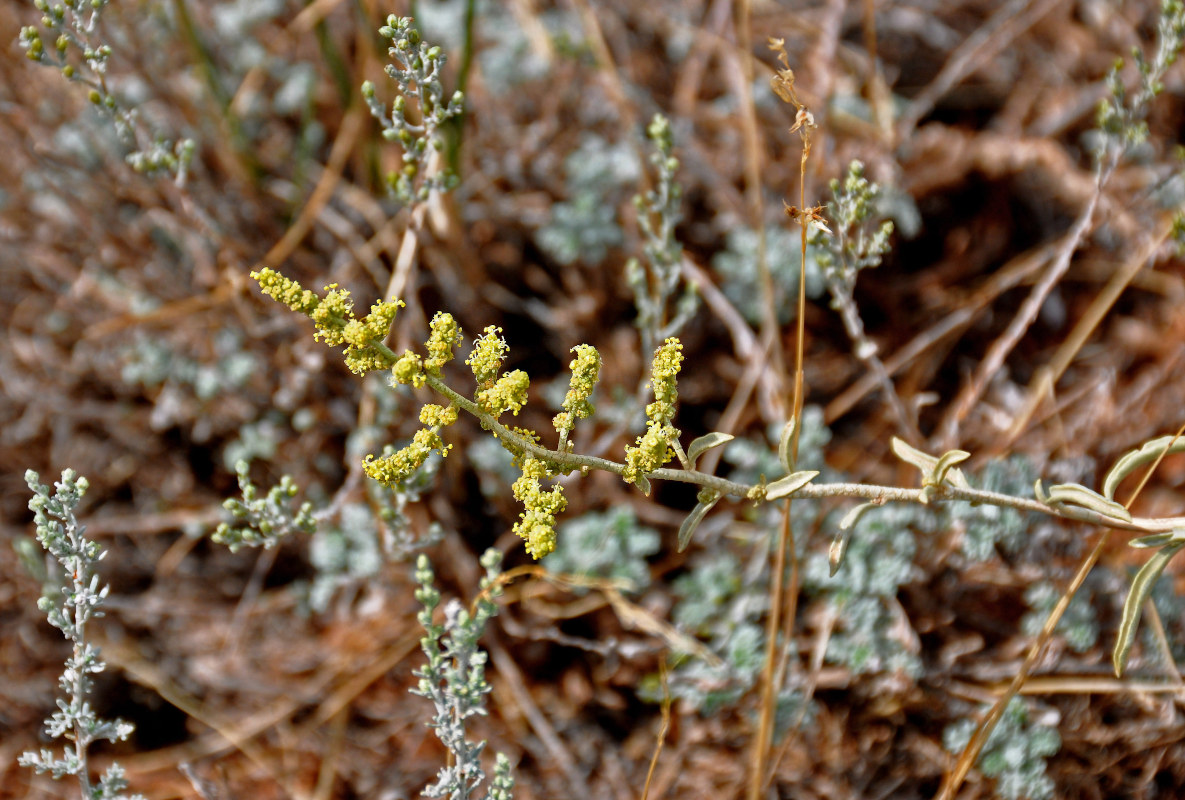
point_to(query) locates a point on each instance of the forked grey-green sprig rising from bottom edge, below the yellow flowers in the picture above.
(454, 680)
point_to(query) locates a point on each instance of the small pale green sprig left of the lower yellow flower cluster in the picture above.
(264, 521)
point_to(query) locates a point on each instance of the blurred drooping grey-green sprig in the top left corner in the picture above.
(81, 59)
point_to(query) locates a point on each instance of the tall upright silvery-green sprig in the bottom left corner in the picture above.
(69, 609)
